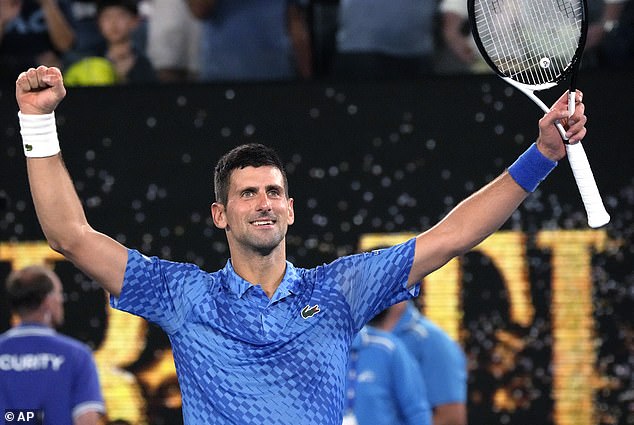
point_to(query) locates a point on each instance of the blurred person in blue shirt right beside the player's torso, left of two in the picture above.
(384, 384)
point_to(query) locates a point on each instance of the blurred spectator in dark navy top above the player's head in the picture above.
(253, 40)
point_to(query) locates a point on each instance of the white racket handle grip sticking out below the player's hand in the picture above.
(597, 214)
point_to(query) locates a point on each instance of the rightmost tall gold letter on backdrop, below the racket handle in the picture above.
(574, 356)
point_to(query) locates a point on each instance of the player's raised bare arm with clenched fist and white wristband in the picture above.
(58, 208)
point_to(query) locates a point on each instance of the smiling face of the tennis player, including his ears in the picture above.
(257, 212)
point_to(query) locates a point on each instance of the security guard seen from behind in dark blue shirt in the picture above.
(42, 369)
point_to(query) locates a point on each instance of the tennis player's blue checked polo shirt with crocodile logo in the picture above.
(243, 358)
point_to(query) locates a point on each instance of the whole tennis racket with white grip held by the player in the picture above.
(533, 45)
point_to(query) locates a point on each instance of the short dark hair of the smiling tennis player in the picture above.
(248, 155)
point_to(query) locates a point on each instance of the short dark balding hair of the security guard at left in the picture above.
(28, 287)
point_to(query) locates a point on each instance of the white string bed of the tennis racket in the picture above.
(534, 41)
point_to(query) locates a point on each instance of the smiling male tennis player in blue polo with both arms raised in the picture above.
(261, 341)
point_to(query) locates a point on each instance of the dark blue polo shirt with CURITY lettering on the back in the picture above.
(41, 369)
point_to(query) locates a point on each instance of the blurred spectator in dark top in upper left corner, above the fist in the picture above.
(33, 33)
